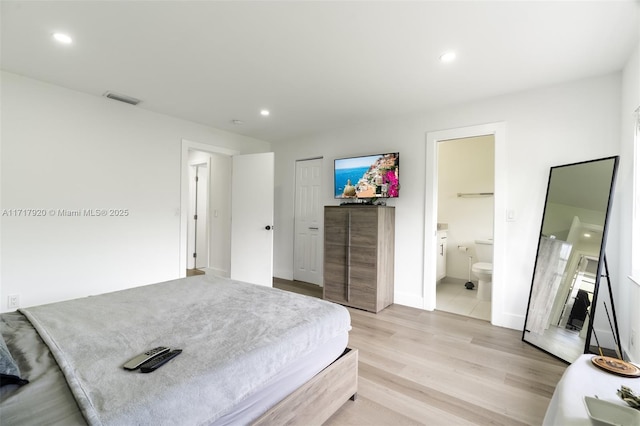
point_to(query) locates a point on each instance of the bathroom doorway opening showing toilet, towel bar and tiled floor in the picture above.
(465, 215)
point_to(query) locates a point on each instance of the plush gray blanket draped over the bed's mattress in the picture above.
(234, 336)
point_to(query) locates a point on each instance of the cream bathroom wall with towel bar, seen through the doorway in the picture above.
(465, 166)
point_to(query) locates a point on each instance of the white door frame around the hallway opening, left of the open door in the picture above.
(186, 146)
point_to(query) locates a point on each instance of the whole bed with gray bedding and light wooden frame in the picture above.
(251, 355)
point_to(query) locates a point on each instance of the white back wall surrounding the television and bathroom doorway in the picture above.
(546, 127)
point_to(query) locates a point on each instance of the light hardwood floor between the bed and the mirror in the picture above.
(437, 368)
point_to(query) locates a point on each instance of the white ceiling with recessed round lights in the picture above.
(315, 65)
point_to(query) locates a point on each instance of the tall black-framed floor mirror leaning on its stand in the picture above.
(570, 258)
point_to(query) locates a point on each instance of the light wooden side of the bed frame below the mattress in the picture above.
(318, 399)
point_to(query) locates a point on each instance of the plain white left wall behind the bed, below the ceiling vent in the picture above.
(63, 149)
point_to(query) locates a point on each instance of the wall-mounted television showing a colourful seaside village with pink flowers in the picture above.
(367, 177)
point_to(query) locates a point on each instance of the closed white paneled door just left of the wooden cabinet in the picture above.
(308, 250)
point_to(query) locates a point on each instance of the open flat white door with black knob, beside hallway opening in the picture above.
(252, 218)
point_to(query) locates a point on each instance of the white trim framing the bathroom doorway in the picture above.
(498, 130)
